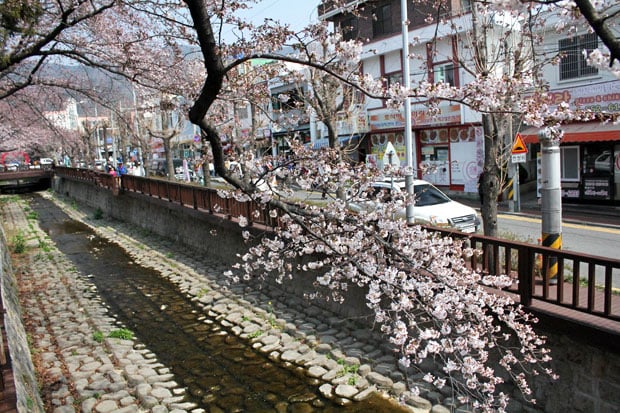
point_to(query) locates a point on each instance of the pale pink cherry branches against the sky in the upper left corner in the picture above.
(46, 44)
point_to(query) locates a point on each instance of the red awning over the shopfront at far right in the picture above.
(580, 132)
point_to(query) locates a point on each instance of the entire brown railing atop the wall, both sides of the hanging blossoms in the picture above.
(585, 283)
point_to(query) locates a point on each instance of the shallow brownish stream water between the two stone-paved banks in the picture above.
(219, 369)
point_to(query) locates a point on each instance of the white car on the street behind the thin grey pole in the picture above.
(432, 207)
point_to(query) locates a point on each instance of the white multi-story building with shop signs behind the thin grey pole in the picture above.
(450, 142)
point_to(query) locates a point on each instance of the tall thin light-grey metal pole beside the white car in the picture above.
(409, 144)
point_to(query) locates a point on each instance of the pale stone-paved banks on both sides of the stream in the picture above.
(117, 375)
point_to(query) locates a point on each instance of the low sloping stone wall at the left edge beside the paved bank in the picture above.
(27, 392)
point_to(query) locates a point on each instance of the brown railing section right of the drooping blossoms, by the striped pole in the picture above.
(583, 282)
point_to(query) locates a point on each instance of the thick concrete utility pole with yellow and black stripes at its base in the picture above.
(551, 194)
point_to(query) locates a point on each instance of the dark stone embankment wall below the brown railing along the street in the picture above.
(589, 369)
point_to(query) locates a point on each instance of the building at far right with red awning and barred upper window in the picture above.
(590, 152)
